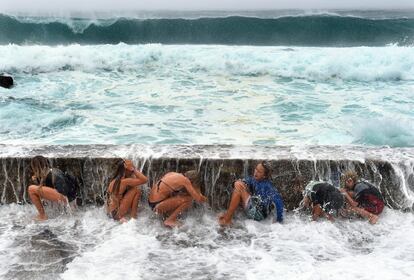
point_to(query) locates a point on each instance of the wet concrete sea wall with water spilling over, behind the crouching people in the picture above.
(392, 169)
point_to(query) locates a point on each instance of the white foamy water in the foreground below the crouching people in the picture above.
(143, 249)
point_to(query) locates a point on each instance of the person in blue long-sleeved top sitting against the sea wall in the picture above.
(256, 195)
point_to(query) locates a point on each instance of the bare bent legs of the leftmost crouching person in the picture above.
(37, 193)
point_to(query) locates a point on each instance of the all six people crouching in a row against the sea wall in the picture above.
(174, 193)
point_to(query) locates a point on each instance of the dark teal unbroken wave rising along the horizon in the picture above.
(301, 30)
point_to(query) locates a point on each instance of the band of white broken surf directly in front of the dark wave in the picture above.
(362, 64)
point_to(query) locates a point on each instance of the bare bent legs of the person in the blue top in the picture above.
(239, 195)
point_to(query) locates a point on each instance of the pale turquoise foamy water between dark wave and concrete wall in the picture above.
(208, 94)
